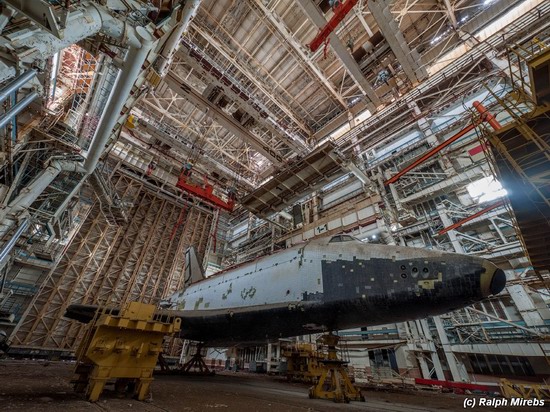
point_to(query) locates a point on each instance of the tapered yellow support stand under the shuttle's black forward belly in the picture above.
(334, 382)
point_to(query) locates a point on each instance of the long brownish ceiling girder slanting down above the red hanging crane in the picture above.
(178, 85)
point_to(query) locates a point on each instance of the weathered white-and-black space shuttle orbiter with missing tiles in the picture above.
(326, 284)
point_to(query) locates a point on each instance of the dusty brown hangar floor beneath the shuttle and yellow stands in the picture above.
(44, 386)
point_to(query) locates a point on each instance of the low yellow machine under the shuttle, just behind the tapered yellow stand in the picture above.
(303, 362)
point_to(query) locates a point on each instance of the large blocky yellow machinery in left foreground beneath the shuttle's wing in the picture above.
(122, 347)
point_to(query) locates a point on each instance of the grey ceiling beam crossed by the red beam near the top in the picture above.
(314, 14)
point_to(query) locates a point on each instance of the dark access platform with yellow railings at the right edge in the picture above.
(521, 152)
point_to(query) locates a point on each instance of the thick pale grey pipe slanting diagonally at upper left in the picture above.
(123, 86)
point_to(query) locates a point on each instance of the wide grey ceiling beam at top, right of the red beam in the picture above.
(409, 59)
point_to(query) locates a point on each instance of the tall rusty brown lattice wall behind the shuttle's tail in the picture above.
(104, 263)
